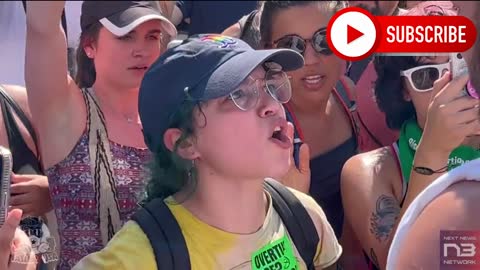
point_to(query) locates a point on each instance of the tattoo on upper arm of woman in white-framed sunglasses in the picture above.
(384, 217)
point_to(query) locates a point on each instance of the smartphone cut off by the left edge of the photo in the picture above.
(6, 172)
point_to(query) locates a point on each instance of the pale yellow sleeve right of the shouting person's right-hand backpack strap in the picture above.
(328, 250)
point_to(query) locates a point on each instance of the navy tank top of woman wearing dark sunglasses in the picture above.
(326, 169)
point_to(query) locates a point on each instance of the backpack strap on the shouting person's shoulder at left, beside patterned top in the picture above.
(165, 235)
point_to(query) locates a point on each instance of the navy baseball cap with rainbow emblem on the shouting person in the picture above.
(203, 67)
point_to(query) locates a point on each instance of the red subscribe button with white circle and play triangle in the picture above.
(354, 34)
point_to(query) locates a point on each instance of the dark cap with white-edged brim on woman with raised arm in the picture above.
(121, 17)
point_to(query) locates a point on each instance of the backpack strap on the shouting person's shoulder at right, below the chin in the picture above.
(296, 219)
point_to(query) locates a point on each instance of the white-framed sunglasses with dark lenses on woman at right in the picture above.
(421, 78)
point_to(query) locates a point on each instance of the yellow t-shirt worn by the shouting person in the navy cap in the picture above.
(210, 248)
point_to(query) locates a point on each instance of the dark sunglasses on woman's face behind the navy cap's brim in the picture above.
(298, 44)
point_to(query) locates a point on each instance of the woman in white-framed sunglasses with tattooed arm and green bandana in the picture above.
(420, 98)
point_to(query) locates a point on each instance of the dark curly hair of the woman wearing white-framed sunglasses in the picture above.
(390, 88)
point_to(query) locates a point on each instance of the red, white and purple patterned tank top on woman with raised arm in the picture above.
(77, 192)
